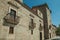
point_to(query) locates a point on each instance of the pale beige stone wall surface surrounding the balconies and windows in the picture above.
(21, 30)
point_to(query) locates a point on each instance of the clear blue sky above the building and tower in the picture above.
(54, 6)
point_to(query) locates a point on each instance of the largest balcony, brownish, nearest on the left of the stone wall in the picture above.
(11, 20)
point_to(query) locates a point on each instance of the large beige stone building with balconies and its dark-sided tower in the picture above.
(19, 22)
